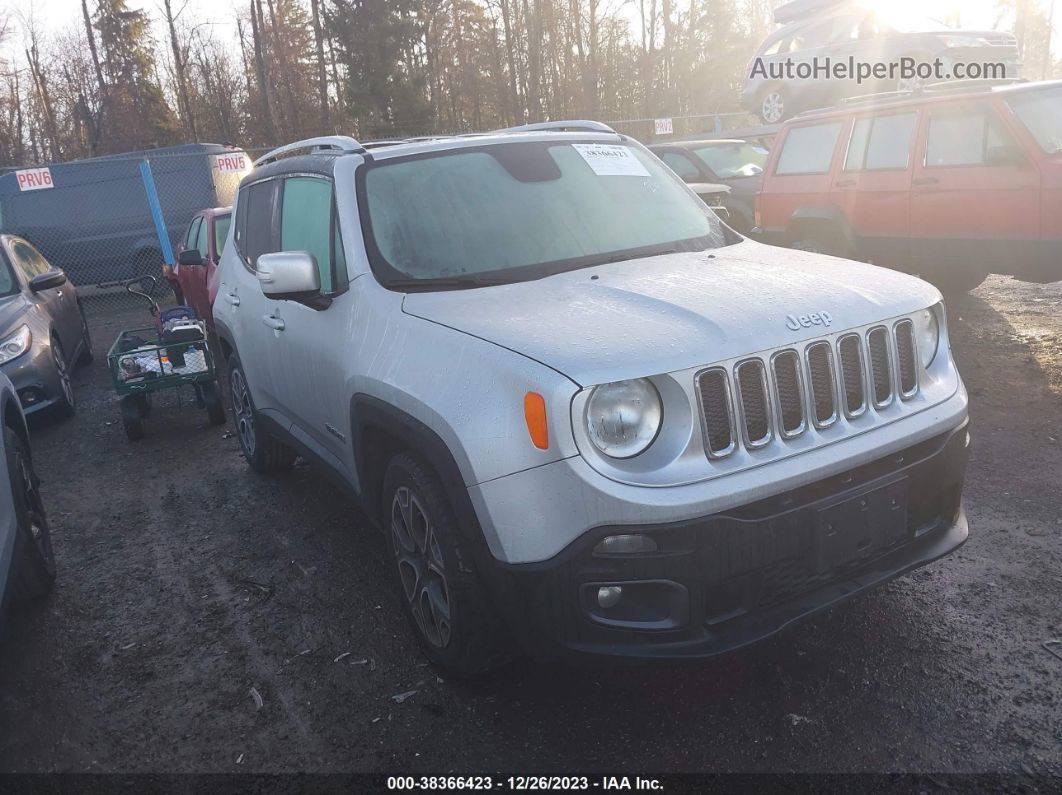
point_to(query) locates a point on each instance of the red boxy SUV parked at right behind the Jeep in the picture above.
(952, 184)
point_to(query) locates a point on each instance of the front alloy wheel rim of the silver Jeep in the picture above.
(421, 567)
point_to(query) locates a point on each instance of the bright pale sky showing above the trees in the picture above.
(55, 15)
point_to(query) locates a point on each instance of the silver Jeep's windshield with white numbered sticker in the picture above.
(517, 212)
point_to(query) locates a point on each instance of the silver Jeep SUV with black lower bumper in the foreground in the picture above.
(589, 417)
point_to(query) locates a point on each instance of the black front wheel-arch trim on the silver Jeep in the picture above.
(414, 436)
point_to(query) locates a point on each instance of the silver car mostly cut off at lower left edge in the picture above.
(27, 561)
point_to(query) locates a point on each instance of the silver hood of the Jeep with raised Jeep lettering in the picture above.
(673, 313)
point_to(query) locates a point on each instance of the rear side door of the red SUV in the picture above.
(873, 186)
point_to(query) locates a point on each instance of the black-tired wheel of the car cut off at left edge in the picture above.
(35, 561)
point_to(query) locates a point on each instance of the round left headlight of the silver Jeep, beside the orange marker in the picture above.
(623, 419)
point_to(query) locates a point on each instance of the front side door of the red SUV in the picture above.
(975, 193)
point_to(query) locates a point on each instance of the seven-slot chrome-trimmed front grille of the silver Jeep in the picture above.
(786, 392)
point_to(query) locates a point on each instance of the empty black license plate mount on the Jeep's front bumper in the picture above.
(858, 528)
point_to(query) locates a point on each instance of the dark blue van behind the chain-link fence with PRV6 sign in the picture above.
(92, 218)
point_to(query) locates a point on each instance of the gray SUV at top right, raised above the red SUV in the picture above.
(841, 31)
